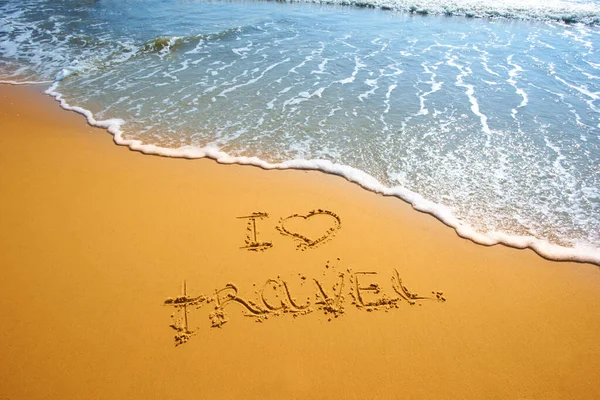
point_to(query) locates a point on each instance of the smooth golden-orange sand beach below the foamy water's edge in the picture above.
(96, 242)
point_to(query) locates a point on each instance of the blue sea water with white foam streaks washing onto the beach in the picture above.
(485, 114)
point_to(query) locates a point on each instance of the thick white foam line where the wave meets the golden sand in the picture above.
(578, 253)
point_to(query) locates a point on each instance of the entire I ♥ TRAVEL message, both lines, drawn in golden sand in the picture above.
(328, 294)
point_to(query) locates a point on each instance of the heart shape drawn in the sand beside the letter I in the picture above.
(307, 228)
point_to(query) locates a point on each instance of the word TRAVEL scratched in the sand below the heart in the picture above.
(329, 294)
